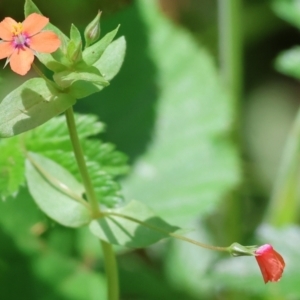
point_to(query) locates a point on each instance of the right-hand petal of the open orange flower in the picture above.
(45, 42)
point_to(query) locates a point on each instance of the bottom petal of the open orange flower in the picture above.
(21, 60)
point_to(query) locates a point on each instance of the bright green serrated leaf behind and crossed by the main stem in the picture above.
(103, 161)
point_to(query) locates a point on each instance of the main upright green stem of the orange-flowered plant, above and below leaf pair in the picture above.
(109, 256)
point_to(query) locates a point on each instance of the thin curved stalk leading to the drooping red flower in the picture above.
(174, 235)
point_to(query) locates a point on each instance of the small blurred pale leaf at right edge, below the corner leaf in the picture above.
(288, 62)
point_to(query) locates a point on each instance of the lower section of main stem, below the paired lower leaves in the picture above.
(111, 271)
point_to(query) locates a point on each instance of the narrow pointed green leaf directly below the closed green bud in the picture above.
(94, 52)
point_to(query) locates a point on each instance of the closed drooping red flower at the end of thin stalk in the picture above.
(270, 263)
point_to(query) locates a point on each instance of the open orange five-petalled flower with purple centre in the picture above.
(20, 41)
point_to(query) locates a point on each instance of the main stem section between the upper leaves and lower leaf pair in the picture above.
(90, 192)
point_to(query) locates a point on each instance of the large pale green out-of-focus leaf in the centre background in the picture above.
(190, 163)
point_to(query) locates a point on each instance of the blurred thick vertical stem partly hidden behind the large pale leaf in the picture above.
(230, 51)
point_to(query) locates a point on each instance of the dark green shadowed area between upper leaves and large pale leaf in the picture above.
(127, 106)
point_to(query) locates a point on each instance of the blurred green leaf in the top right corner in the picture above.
(288, 10)
